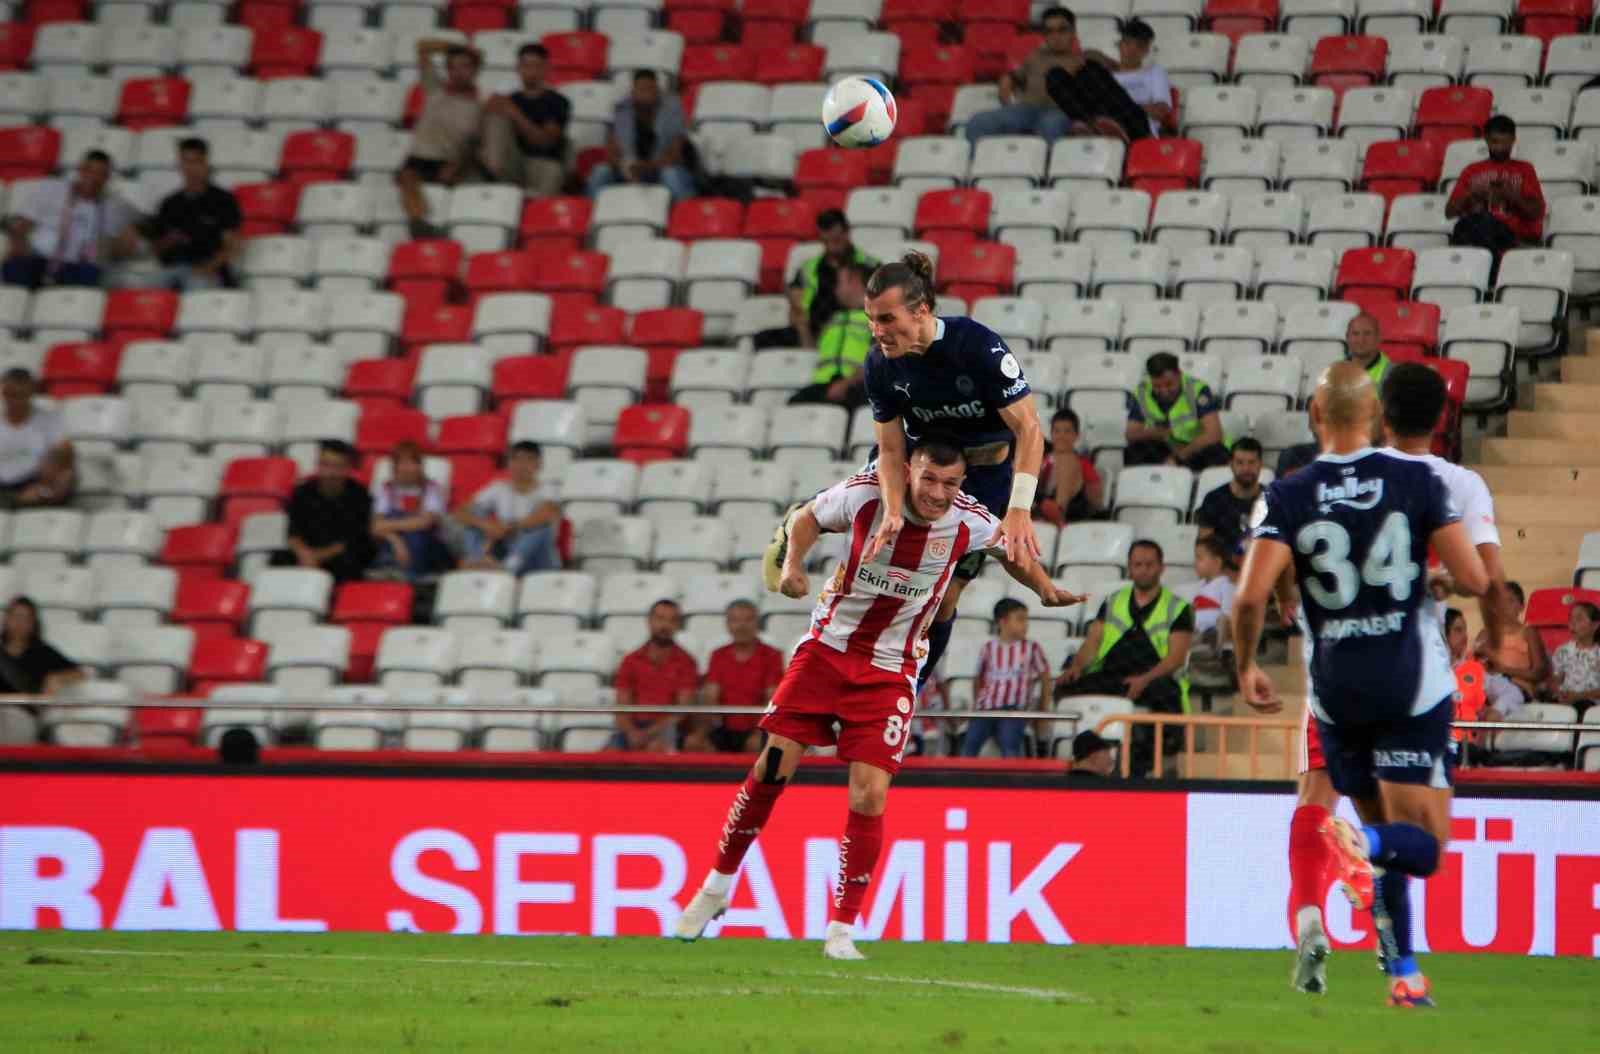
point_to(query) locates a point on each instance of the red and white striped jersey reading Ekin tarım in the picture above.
(882, 612)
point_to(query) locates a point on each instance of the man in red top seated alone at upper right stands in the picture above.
(1497, 204)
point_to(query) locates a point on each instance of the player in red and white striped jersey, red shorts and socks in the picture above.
(862, 660)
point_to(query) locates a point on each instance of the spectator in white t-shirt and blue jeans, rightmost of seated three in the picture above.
(513, 524)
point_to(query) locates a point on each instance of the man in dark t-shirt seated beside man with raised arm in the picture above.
(526, 134)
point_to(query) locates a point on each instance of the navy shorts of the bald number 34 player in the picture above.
(1398, 751)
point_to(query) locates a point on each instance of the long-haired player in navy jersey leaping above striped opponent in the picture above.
(958, 377)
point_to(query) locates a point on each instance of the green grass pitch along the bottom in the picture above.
(369, 994)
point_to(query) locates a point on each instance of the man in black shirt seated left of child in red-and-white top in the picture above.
(332, 519)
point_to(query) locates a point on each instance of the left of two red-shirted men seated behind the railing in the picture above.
(658, 674)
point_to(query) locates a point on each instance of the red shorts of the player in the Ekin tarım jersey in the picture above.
(873, 708)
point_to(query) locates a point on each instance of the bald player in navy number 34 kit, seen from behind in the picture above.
(1356, 529)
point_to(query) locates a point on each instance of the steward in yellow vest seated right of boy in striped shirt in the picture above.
(1138, 647)
